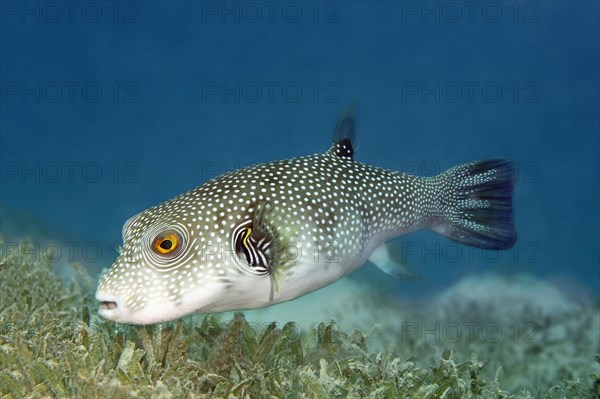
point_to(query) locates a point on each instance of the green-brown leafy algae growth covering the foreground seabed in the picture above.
(52, 344)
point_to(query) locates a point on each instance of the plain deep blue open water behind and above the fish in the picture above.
(179, 104)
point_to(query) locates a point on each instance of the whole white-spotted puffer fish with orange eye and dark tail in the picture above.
(273, 232)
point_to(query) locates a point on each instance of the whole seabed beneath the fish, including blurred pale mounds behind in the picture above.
(486, 337)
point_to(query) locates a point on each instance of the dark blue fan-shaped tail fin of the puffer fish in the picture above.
(477, 204)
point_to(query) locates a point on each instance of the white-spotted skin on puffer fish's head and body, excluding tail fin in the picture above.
(322, 200)
